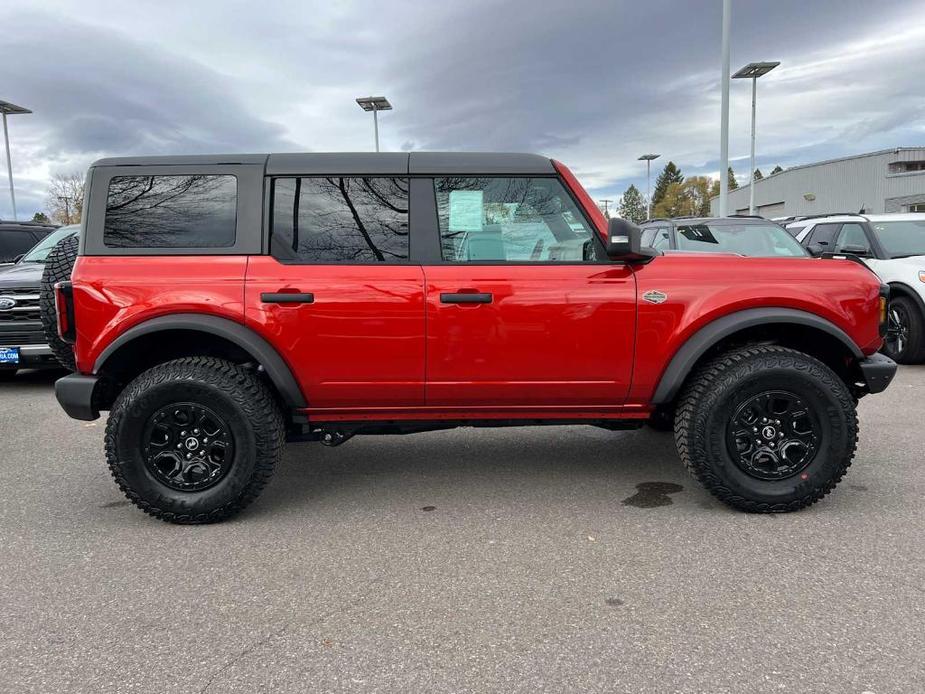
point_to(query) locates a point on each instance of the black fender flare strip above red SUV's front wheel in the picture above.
(697, 344)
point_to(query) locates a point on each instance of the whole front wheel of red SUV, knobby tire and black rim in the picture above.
(766, 429)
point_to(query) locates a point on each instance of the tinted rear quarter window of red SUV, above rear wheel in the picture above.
(192, 211)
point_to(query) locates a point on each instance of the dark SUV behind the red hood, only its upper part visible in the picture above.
(749, 236)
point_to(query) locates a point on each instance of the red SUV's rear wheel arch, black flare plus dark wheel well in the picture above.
(131, 352)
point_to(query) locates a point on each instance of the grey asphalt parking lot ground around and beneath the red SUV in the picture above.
(559, 559)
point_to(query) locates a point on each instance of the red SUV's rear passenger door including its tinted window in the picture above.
(338, 295)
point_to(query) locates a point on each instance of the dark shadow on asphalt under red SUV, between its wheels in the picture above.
(639, 467)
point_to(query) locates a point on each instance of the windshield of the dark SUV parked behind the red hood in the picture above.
(763, 240)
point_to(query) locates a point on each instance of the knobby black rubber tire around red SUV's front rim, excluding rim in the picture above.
(706, 408)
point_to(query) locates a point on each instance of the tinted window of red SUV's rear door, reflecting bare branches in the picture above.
(340, 220)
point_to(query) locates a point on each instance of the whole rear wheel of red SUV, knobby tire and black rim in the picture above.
(194, 440)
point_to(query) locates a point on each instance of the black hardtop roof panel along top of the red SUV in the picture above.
(358, 163)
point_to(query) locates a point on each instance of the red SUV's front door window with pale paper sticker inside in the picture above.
(512, 219)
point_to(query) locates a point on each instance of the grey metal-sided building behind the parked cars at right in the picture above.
(891, 180)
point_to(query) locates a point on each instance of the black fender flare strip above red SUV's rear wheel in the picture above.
(262, 351)
